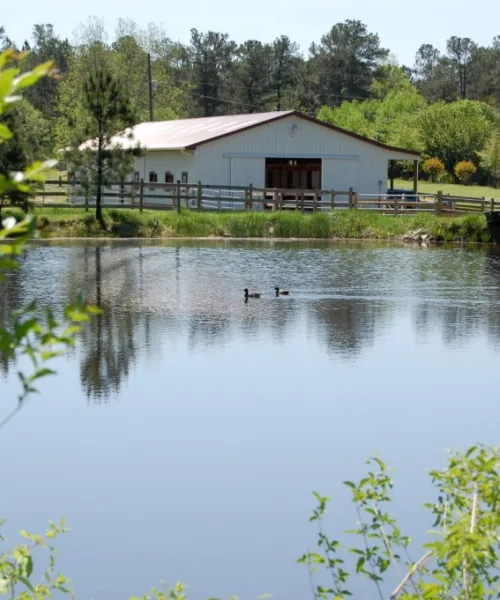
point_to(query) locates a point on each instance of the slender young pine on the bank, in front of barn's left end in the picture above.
(103, 159)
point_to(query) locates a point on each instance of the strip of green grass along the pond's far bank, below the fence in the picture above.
(356, 224)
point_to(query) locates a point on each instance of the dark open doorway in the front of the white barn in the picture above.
(293, 173)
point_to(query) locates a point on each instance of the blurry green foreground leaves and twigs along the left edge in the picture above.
(26, 335)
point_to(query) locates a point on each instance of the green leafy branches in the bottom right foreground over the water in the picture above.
(460, 560)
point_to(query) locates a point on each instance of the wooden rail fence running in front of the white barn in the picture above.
(174, 196)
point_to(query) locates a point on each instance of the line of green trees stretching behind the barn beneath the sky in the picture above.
(445, 104)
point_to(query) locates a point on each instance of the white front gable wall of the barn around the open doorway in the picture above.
(239, 159)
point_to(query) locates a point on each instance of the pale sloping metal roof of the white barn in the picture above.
(187, 134)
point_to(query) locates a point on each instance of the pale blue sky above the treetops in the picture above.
(401, 24)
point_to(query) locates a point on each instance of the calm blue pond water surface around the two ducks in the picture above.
(183, 437)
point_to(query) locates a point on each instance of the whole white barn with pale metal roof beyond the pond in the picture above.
(284, 149)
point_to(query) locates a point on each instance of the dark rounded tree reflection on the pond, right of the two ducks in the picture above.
(347, 326)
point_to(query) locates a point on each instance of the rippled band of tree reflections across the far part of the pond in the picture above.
(161, 298)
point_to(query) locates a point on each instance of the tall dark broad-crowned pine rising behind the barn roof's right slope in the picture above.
(346, 60)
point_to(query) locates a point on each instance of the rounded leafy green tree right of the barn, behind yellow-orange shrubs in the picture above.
(456, 131)
